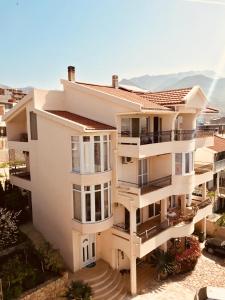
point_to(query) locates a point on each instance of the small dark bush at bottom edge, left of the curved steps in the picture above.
(79, 290)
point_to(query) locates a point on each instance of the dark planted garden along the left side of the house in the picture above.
(22, 265)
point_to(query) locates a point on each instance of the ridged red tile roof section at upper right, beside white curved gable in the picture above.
(167, 98)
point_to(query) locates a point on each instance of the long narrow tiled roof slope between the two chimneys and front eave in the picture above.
(125, 94)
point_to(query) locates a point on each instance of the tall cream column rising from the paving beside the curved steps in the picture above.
(133, 267)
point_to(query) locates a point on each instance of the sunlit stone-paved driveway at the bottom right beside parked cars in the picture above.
(210, 270)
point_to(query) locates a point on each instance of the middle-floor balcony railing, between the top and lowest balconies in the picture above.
(150, 186)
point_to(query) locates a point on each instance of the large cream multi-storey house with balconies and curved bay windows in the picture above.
(111, 171)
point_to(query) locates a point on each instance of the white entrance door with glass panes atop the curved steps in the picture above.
(88, 249)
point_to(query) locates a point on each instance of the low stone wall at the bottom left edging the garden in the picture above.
(51, 289)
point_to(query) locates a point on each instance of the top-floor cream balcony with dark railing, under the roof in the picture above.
(142, 145)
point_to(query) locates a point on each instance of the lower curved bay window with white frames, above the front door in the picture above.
(92, 203)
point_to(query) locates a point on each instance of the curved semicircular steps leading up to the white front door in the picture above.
(106, 283)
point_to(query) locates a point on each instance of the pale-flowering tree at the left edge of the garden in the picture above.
(8, 228)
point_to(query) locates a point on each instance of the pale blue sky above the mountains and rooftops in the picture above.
(39, 39)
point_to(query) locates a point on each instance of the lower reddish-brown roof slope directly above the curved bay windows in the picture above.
(88, 123)
